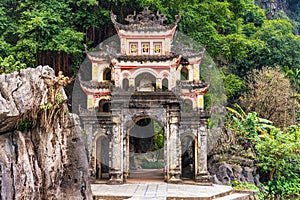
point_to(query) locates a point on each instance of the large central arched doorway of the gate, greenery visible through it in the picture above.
(146, 149)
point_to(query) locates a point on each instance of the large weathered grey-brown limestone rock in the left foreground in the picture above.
(42, 155)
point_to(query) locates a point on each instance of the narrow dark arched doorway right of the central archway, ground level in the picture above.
(187, 157)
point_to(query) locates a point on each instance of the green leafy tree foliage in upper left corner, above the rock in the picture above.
(37, 27)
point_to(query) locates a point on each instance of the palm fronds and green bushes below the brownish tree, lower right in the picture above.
(276, 150)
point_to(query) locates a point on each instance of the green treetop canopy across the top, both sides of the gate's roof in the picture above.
(235, 33)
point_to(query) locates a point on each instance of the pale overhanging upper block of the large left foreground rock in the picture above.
(21, 93)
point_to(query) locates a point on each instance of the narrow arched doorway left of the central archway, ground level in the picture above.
(102, 158)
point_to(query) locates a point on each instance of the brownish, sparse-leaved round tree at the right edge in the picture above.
(269, 95)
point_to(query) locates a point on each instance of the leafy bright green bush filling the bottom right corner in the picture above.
(278, 155)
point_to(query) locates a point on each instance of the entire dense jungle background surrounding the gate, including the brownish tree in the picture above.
(255, 45)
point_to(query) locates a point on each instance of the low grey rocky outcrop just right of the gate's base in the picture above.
(229, 161)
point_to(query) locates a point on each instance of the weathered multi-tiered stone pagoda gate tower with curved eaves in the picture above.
(140, 80)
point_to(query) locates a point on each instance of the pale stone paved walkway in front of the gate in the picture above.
(156, 191)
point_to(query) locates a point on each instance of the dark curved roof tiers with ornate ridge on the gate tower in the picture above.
(141, 26)
